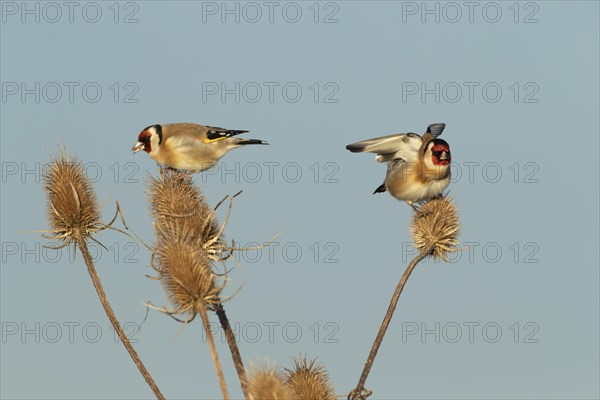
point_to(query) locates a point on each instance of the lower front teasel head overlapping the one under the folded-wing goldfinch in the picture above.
(185, 271)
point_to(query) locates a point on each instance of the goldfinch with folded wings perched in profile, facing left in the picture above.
(189, 147)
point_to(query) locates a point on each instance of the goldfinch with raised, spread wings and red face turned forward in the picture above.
(418, 167)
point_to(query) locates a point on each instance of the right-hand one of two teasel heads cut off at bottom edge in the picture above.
(309, 380)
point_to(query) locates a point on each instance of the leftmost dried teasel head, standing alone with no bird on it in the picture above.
(73, 209)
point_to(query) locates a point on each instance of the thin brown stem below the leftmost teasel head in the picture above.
(113, 319)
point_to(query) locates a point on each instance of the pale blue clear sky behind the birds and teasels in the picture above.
(520, 97)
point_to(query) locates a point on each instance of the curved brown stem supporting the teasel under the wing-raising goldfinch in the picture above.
(359, 393)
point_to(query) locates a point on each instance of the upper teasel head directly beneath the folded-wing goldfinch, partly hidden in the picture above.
(174, 199)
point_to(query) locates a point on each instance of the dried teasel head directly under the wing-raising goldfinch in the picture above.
(436, 226)
